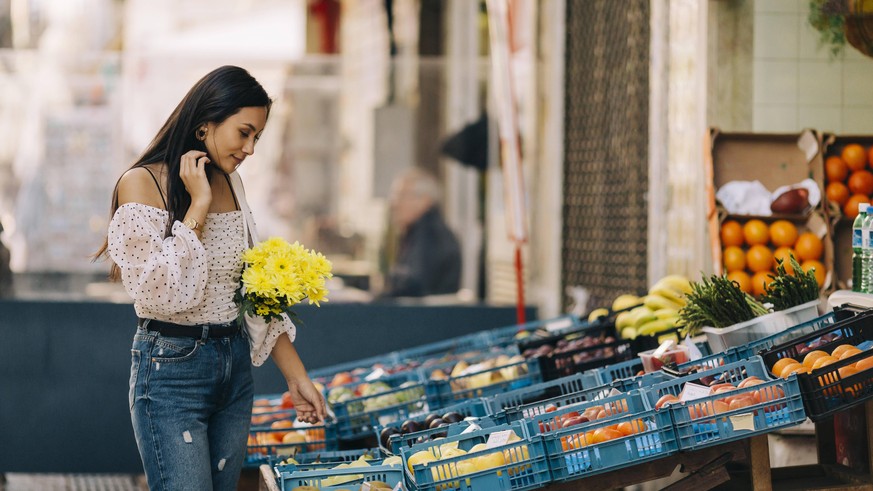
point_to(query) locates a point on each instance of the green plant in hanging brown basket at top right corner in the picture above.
(839, 21)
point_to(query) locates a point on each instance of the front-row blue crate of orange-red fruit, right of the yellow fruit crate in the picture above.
(580, 451)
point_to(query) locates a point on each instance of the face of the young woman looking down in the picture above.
(230, 142)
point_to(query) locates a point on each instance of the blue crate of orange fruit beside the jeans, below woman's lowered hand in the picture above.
(265, 444)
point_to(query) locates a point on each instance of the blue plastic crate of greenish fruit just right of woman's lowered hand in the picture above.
(359, 416)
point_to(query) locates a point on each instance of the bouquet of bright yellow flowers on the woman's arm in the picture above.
(278, 275)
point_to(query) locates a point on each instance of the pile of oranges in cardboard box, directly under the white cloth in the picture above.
(750, 252)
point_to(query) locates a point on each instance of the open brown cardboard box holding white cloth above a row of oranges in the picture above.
(775, 160)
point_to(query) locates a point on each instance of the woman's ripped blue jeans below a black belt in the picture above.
(191, 407)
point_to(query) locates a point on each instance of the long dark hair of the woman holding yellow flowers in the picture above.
(214, 98)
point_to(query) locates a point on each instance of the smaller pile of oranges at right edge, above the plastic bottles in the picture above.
(849, 180)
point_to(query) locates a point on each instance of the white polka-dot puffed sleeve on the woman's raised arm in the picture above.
(164, 275)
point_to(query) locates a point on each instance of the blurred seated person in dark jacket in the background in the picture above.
(427, 257)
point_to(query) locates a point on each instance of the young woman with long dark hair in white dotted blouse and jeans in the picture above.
(176, 237)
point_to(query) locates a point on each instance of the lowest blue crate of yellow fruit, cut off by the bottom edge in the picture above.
(317, 477)
